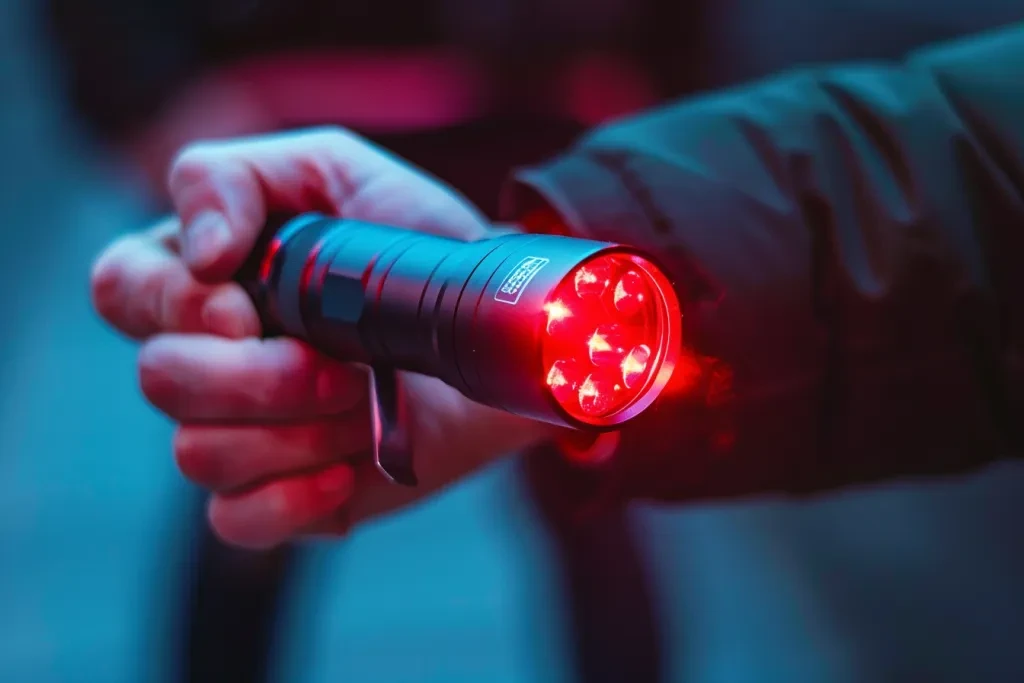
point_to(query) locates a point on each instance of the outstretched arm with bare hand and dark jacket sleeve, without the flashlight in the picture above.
(844, 242)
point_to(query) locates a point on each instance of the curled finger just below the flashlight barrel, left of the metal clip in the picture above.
(195, 378)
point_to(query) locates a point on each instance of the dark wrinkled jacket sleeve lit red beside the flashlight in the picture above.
(847, 243)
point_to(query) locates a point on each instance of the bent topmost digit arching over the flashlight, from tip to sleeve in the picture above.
(225, 190)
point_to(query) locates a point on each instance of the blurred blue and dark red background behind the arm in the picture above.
(108, 573)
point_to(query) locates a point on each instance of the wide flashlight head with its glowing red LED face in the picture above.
(572, 332)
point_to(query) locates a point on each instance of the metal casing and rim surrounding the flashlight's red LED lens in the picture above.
(498, 348)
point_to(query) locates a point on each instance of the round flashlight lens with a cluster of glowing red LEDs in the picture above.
(612, 332)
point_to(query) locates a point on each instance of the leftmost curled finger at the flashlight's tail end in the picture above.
(142, 288)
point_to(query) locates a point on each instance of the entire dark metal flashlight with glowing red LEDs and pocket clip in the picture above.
(572, 332)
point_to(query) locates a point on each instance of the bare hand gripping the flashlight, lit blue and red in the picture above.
(278, 433)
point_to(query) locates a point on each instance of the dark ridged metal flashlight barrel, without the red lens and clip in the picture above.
(468, 314)
